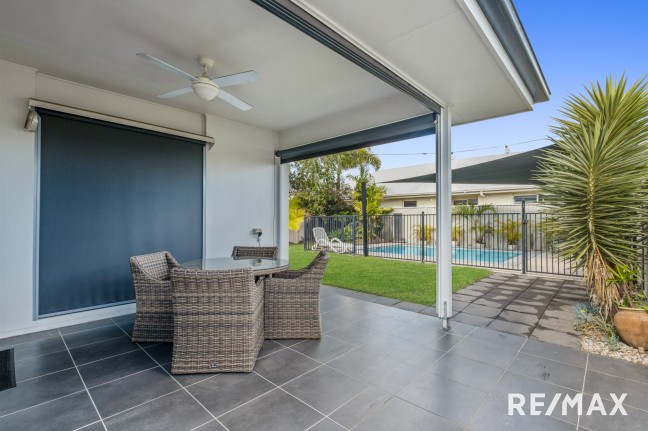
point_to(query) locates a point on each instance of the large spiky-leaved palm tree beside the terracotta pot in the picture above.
(596, 178)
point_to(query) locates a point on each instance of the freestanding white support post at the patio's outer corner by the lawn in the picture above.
(444, 216)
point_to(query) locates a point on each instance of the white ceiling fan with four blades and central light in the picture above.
(204, 86)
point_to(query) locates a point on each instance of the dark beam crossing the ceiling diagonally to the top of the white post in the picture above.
(307, 23)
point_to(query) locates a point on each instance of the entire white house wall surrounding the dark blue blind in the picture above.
(241, 186)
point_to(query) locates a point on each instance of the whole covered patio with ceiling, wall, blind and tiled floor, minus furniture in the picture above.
(333, 76)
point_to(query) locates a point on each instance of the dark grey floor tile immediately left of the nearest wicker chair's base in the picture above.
(105, 370)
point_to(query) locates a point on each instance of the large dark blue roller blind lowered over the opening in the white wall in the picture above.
(109, 192)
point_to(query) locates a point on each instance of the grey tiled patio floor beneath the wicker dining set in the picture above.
(375, 368)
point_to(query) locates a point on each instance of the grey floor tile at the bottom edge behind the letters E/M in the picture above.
(493, 416)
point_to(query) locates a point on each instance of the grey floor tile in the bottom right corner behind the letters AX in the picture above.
(635, 420)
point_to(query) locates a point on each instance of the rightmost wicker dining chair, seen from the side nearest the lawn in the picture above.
(292, 301)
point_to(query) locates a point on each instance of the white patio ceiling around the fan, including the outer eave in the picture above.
(307, 92)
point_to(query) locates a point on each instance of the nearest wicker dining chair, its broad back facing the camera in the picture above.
(218, 320)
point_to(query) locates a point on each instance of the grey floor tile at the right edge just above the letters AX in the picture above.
(604, 384)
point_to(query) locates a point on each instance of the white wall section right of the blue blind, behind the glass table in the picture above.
(241, 186)
